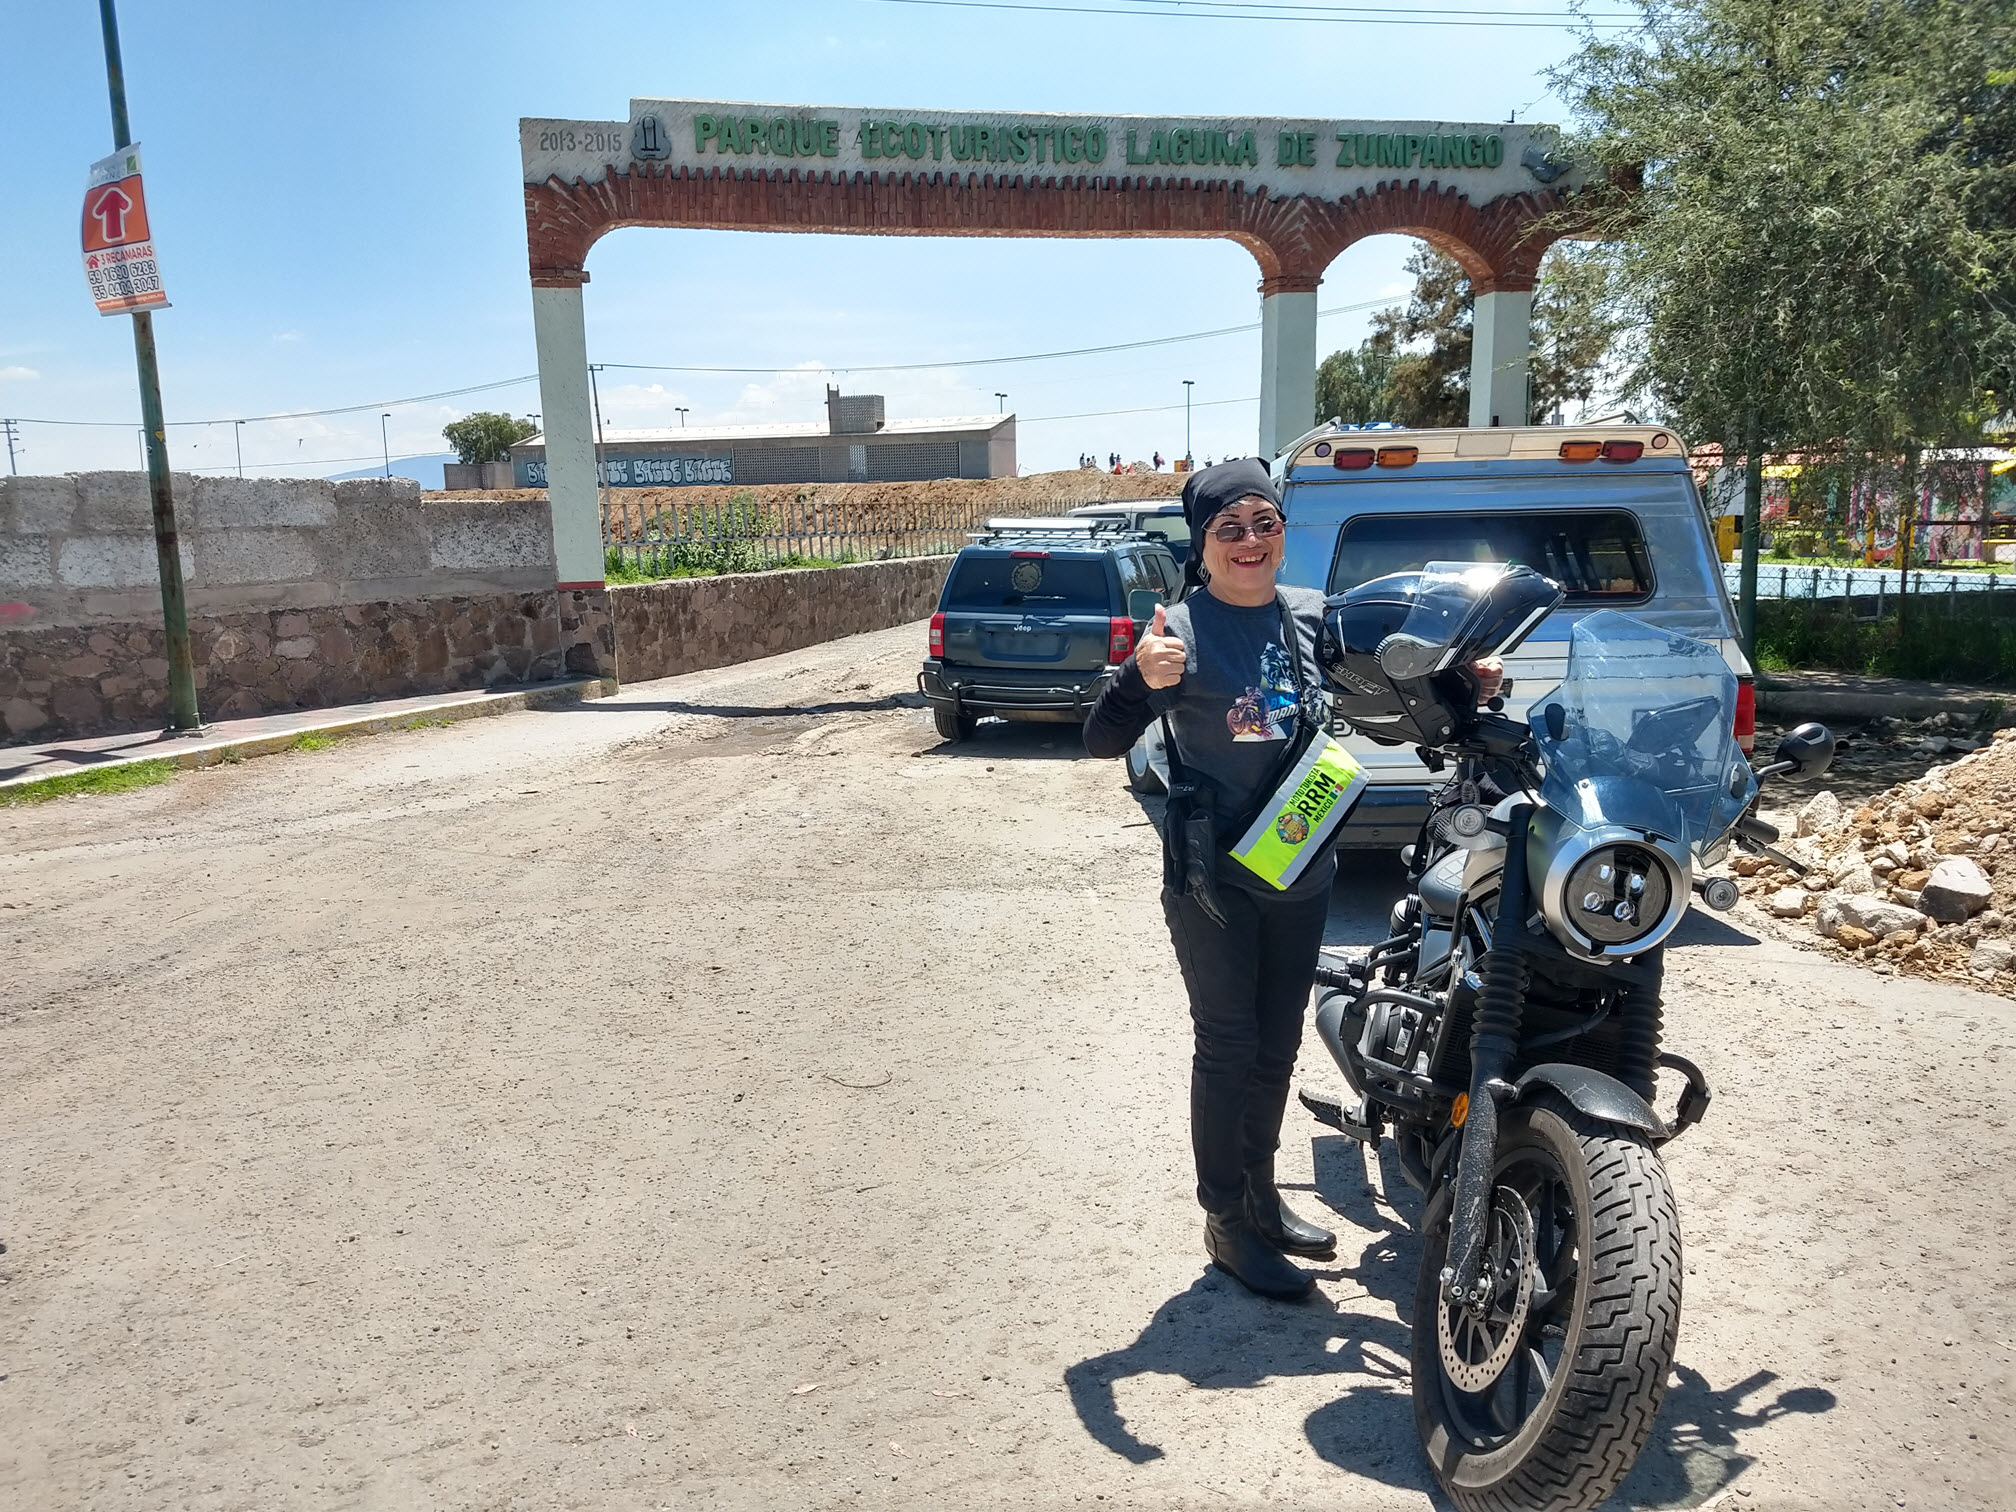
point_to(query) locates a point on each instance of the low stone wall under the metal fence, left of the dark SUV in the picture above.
(713, 622)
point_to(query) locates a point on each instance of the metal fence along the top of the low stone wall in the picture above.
(749, 533)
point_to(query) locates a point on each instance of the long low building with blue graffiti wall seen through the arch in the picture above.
(856, 445)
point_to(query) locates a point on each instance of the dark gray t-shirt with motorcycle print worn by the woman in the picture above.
(1235, 711)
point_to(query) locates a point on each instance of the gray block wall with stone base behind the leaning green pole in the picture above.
(301, 594)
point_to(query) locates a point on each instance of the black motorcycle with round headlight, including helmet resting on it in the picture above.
(1509, 1033)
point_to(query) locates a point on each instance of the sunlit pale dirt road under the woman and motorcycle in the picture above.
(727, 1096)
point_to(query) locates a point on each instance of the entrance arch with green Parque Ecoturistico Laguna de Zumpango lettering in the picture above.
(1291, 193)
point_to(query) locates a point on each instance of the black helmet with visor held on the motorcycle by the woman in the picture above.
(1398, 650)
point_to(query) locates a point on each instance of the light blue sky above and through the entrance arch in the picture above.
(336, 205)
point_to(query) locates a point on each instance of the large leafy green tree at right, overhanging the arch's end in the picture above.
(1817, 245)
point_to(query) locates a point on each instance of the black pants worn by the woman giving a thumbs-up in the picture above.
(1249, 989)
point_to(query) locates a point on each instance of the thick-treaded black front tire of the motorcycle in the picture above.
(1618, 1324)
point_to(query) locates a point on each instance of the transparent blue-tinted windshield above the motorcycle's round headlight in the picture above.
(1642, 733)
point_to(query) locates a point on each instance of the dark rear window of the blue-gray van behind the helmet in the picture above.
(1598, 555)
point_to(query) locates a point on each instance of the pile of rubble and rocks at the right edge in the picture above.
(1918, 880)
